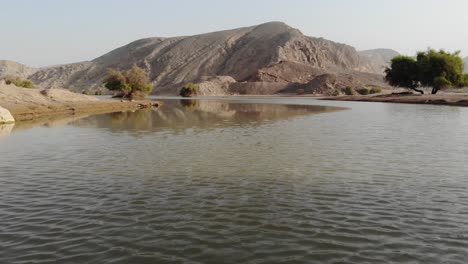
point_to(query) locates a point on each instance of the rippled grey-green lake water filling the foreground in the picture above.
(246, 180)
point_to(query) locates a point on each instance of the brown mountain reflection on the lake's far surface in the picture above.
(179, 115)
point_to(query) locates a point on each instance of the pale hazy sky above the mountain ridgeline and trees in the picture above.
(46, 32)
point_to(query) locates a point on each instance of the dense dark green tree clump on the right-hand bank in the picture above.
(431, 68)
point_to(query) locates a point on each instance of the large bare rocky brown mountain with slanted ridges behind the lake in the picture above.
(264, 59)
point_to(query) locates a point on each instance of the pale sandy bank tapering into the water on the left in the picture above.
(32, 104)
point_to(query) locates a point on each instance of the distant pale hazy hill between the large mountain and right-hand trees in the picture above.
(377, 59)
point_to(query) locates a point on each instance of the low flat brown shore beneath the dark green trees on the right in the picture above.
(439, 99)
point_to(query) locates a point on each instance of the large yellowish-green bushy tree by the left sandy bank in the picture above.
(128, 82)
